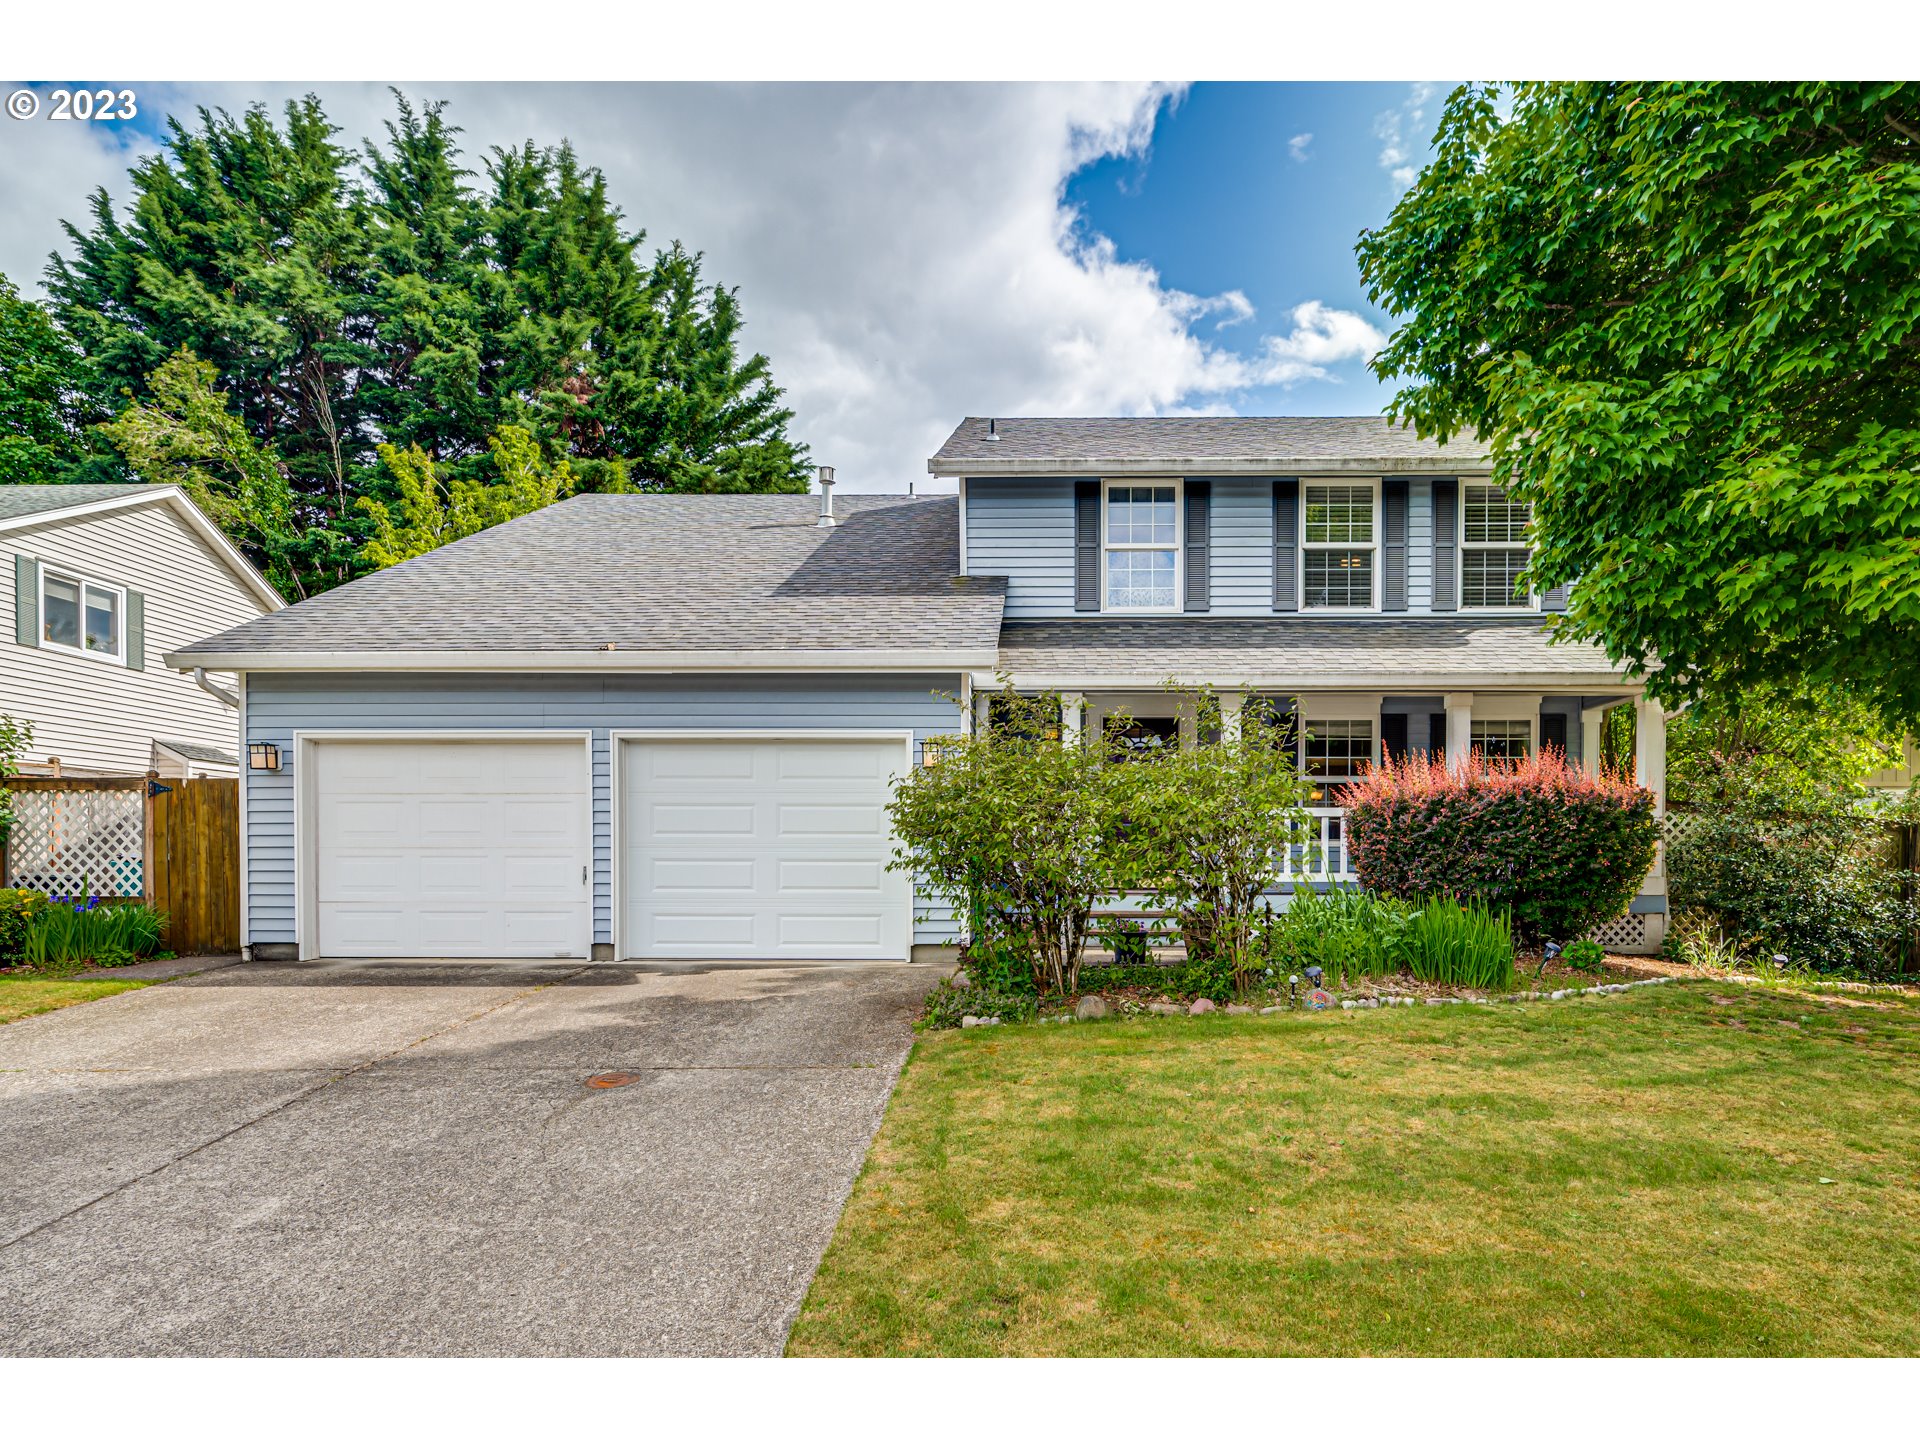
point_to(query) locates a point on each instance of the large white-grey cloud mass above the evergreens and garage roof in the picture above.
(903, 254)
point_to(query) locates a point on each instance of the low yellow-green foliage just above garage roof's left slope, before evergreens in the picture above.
(433, 510)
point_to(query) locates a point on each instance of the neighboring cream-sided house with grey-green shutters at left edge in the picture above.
(103, 581)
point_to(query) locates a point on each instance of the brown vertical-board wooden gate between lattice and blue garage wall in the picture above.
(193, 836)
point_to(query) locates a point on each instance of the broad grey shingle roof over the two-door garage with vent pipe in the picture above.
(661, 573)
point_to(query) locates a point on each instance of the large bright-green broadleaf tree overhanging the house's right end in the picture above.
(1689, 322)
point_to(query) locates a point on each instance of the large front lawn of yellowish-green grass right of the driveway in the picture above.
(1700, 1170)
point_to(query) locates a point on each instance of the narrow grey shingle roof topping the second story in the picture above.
(1191, 441)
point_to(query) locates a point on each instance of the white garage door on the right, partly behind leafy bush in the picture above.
(756, 850)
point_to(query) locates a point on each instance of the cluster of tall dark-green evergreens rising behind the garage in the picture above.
(389, 297)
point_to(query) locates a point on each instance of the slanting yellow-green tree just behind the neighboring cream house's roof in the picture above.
(183, 433)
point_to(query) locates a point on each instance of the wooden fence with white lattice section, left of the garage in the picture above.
(172, 844)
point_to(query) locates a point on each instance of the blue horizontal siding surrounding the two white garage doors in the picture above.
(283, 704)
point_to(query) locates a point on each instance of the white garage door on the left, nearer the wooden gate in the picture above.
(456, 850)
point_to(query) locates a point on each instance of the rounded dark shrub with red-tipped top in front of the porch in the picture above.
(1556, 848)
